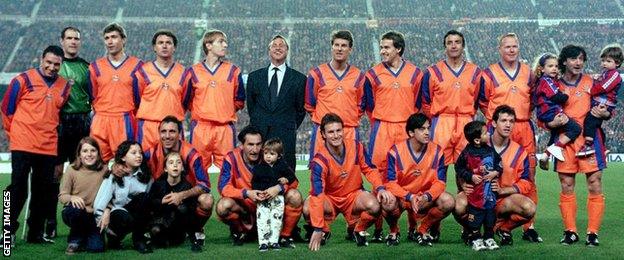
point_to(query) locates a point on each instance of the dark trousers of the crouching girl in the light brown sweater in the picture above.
(82, 229)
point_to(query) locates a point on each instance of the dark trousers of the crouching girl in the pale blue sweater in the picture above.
(133, 219)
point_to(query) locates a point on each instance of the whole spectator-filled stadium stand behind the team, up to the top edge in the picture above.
(251, 24)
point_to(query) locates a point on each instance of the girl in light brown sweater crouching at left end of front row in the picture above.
(79, 186)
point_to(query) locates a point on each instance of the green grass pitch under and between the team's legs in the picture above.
(548, 224)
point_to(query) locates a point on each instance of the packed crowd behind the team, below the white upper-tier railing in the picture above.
(247, 49)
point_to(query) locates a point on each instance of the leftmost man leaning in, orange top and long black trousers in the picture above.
(30, 117)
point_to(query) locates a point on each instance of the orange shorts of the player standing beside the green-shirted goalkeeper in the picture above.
(112, 130)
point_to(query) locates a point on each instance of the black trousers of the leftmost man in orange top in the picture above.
(42, 167)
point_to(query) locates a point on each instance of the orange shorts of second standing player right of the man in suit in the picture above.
(383, 136)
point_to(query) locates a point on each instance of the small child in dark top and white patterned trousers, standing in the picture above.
(270, 172)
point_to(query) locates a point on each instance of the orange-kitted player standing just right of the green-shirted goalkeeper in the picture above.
(114, 93)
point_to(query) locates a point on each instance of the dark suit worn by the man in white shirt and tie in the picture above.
(284, 117)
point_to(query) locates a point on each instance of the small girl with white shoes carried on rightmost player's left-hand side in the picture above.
(549, 100)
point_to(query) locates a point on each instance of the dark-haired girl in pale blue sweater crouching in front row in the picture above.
(120, 202)
